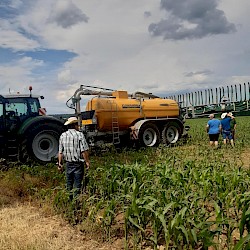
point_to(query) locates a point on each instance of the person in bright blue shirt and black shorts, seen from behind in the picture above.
(213, 129)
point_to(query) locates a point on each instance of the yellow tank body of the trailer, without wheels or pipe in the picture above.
(129, 110)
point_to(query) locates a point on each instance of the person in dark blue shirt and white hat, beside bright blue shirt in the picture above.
(226, 128)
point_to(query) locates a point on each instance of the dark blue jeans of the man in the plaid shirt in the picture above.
(74, 177)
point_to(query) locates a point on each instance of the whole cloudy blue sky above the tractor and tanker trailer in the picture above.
(158, 46)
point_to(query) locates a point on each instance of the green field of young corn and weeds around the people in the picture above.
(188, 196)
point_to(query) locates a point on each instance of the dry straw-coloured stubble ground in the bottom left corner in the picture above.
(27, 227)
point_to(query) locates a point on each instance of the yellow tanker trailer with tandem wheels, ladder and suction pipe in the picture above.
(120, 118)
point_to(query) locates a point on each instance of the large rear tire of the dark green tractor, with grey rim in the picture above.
(40, 143)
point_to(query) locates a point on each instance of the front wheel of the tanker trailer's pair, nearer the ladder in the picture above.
(149, 135)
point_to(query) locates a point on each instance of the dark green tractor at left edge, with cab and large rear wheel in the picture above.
(25, 132)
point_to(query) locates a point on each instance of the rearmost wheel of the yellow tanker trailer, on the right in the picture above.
(171, 133)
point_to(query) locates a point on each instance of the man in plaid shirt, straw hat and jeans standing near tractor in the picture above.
(74, 150)
